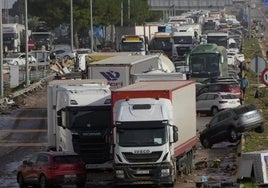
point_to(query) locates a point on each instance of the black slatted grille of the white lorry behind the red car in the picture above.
(92, 150)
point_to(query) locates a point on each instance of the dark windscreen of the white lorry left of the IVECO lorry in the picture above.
(89, 119)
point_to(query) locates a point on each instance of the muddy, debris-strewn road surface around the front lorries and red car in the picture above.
(23, 132)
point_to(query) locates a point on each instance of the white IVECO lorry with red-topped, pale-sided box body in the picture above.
(154, 131)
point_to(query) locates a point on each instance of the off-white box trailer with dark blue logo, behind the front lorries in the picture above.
(119, 70)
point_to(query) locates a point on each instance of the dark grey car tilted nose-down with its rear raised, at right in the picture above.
(228, 125)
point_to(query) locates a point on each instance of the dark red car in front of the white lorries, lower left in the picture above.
(46, 169)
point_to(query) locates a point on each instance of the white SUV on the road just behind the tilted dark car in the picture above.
(213, 102)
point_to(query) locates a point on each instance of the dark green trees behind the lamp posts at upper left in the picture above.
(105, 12)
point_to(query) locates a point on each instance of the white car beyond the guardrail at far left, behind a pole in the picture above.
(18, 59)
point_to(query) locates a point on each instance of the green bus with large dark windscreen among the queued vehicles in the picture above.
(207, 61)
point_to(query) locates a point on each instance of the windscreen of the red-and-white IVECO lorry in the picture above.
(141, 137)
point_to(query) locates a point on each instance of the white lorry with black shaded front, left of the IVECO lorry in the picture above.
(79, 120)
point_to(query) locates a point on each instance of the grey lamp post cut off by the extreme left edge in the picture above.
(1, 54)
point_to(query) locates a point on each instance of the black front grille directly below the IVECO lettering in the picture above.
(136, 158)
